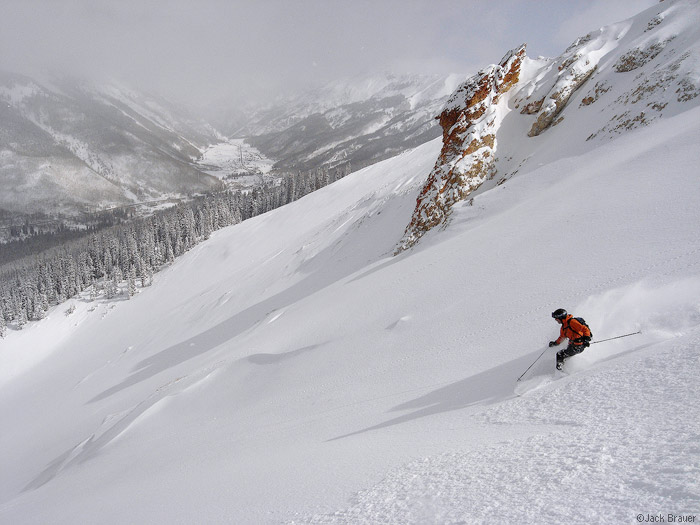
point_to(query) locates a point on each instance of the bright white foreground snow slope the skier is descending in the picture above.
(292, 370)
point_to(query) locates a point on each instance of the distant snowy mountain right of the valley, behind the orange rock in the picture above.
(360, 121)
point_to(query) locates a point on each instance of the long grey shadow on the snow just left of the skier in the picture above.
(485, 388)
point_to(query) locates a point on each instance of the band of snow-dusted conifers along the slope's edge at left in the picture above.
(118, 260)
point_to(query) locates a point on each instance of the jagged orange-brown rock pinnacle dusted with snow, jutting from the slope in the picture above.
(469, 123)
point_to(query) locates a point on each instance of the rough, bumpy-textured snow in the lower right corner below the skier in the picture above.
(588, 465)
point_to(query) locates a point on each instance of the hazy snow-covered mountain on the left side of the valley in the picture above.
(66, 144)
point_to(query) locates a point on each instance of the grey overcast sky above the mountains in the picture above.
(203, 50)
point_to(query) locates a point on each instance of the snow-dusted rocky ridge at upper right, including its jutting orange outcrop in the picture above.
(617, 78)
